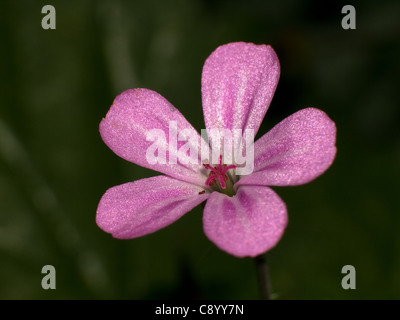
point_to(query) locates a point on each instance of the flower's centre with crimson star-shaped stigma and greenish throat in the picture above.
(220, 178)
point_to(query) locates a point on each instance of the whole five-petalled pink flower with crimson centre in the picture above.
(238, 83)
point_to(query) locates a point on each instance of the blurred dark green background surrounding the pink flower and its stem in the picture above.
(56, 85)
